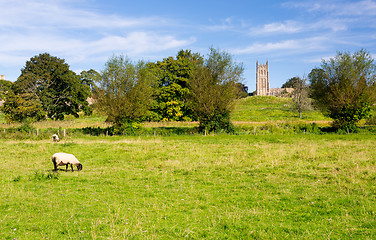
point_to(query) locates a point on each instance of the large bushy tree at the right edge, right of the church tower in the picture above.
(344, 88)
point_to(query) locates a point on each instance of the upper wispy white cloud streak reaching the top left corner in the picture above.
(49, 14)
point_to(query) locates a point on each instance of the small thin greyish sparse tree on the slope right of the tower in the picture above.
(300, 95)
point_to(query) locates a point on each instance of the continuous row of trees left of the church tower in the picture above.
(182, 88)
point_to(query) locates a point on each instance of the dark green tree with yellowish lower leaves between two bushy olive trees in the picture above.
(171, 91)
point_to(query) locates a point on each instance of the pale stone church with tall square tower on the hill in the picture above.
(262, 83)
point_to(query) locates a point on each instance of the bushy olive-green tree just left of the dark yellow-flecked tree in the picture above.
(125, 91)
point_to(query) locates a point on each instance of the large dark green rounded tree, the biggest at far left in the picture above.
(50, 80)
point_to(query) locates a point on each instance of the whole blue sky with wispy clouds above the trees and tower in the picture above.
(294, 36)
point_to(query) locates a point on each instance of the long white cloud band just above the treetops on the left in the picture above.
(134, 44)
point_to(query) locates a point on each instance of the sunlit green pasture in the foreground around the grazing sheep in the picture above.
(195, 187)
